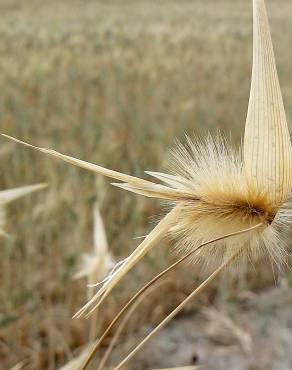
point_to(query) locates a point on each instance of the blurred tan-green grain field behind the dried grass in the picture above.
(114, 83)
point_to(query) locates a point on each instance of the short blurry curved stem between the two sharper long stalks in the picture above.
(124, 323)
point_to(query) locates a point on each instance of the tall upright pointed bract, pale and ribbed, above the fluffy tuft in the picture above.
(267, 147)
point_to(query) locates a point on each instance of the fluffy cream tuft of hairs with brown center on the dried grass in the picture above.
(223, 201)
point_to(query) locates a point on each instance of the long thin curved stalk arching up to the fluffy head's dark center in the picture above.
(146, 286)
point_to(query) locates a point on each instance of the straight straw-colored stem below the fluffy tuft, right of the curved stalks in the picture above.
(205, 283)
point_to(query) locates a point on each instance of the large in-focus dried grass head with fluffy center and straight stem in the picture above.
(214, 190)
